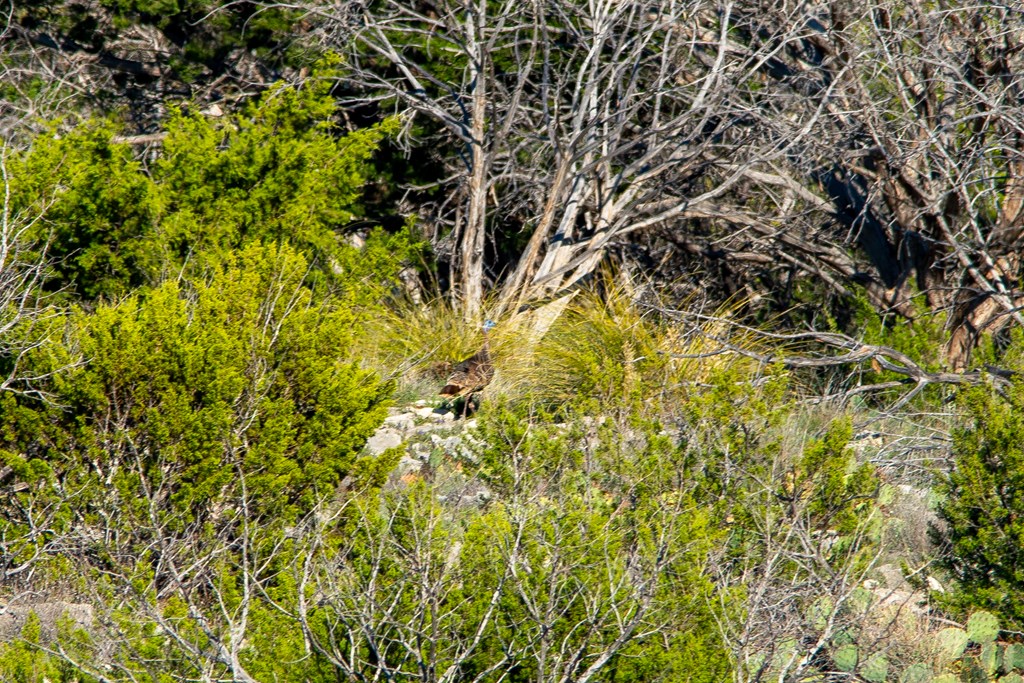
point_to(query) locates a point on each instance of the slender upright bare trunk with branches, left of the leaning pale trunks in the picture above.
(439, 60)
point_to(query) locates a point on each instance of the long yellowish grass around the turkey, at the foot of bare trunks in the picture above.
(603, 345)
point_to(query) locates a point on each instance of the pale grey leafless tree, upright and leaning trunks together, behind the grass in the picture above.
(582, 119)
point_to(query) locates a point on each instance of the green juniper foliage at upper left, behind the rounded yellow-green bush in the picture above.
(278, 173)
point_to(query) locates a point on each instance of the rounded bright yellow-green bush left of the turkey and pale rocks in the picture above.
(196, 389)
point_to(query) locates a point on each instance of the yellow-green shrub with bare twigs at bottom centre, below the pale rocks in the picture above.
(577, 534)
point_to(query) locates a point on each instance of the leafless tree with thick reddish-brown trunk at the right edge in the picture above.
(915, 115)
